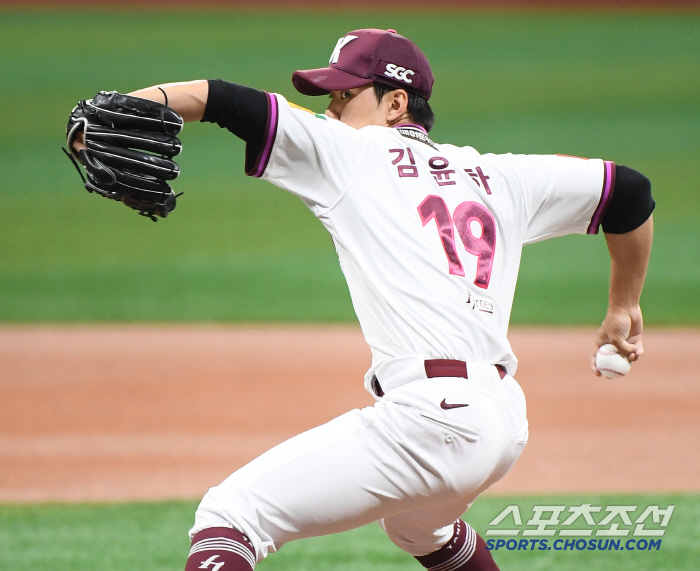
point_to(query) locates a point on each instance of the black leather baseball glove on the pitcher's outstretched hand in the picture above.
(129, 142)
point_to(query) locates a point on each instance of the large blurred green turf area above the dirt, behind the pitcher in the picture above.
(621, 86)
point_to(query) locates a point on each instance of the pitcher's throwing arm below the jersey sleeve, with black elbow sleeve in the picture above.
(628, 228)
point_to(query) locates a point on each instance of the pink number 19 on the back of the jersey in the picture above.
(465, 215)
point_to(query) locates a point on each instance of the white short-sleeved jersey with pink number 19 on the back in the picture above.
(429, 236)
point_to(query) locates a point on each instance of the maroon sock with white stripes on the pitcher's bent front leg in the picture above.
(221, 548)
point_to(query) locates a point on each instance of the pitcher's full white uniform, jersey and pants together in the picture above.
(429, 238)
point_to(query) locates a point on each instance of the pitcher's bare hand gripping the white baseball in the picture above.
(622, 328)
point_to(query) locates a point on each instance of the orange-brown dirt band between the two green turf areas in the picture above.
(114, 413)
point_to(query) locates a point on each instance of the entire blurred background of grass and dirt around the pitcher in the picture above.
(142, 410)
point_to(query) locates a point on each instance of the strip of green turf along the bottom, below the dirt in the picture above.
(124, 537)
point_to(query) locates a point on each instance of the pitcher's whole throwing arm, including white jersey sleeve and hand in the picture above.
(563, 195)
